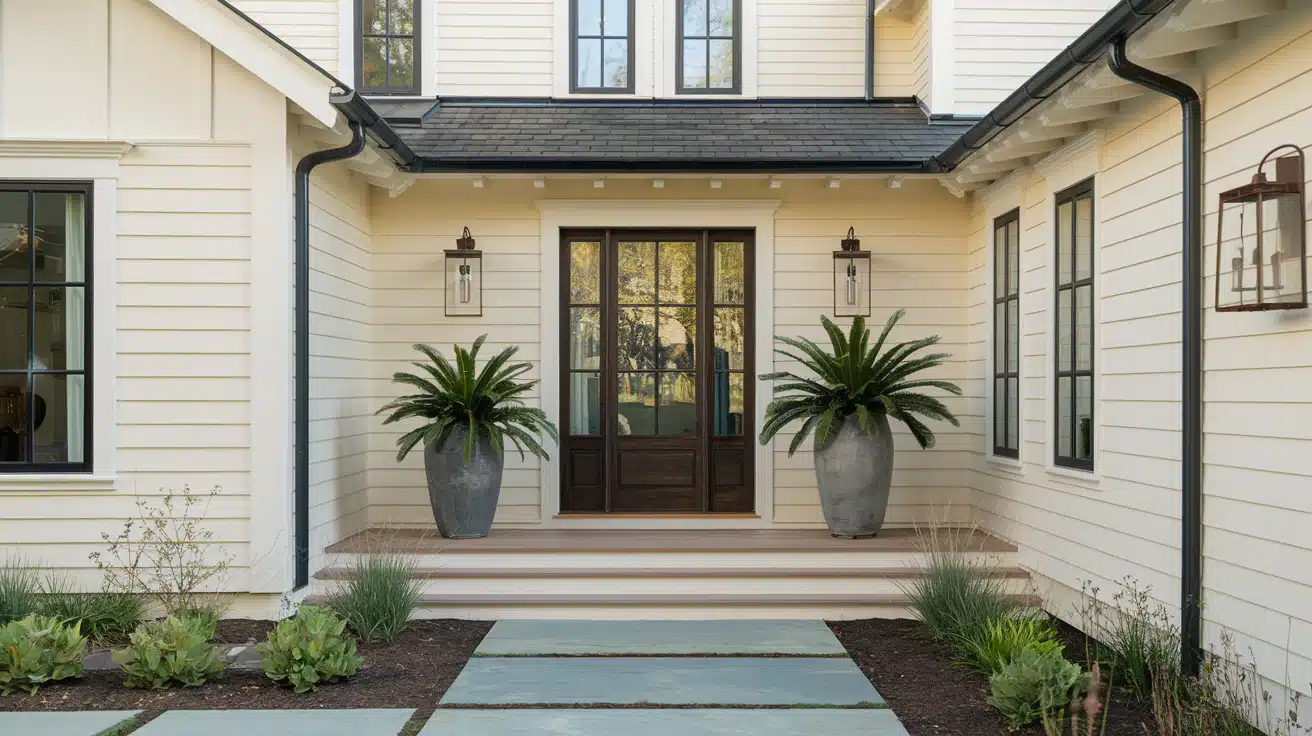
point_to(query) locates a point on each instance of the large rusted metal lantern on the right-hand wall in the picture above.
(1261, 239)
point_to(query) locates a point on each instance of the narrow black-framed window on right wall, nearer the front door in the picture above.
(1007, 335)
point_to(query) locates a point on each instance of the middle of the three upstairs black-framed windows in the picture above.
(602, 43)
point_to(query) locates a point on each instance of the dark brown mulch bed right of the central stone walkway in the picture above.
(933, 695)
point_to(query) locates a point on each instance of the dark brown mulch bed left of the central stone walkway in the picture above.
(414, 672)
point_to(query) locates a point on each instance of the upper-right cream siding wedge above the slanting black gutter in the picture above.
(1000, 44)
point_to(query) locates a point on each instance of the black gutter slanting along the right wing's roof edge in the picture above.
(1121, 22)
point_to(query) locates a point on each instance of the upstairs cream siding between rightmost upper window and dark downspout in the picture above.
(811, 48)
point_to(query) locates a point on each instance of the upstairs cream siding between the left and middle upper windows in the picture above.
(495, 49)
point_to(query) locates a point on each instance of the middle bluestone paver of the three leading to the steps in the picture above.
(755, 682)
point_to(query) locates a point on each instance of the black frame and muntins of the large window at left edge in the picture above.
(87, 190)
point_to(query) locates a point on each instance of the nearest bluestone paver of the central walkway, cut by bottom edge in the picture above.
(634, 722)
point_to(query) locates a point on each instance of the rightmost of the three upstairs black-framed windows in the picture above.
(710, 47)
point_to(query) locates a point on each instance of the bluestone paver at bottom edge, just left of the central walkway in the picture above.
(279, 724)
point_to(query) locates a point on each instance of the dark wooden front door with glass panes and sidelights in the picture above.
(657, 372)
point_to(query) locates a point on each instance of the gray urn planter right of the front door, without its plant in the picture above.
(855, 474)
